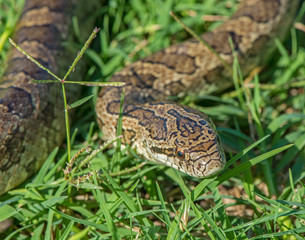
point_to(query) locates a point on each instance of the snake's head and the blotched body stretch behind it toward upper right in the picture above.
(178, 136)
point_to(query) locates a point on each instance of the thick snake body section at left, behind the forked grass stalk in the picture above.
(31, 115)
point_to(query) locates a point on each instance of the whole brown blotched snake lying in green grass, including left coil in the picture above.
(161, 131)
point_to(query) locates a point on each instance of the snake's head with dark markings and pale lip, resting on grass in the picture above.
(188, 143)
